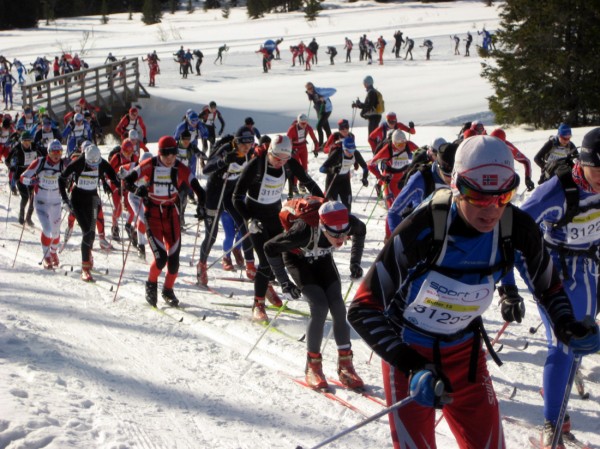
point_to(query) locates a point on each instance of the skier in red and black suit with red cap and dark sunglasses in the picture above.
(166, 177)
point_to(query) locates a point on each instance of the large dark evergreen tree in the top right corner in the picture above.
(545, 69)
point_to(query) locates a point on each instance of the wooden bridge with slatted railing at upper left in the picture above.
(110, 86)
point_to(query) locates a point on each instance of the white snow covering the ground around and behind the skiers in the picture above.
(81, 370)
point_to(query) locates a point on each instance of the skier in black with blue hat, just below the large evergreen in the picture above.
(556, 152)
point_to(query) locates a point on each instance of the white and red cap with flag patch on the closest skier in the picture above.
(485, 164)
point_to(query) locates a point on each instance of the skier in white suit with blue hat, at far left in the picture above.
(42, 175)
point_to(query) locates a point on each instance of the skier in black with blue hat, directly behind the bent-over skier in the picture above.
(338, 167)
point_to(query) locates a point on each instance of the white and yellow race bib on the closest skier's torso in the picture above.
(446, 306)
